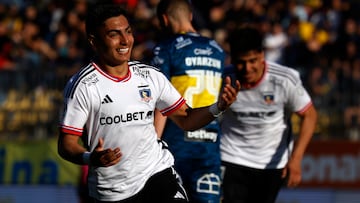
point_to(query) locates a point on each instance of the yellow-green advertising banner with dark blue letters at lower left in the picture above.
(35, 162)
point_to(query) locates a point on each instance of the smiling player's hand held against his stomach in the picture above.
(104, 157)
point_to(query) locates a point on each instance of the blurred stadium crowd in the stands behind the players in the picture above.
(42, 43)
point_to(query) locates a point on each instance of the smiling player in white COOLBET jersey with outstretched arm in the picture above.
(112, 99)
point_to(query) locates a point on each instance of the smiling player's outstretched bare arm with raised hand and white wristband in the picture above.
(192, 119)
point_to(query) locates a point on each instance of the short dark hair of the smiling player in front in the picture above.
(99, 13)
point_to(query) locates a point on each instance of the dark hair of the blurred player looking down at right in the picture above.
(244, 39)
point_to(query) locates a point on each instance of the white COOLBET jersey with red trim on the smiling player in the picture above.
(121, 111)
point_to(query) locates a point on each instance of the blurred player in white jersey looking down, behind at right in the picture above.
(257, 151)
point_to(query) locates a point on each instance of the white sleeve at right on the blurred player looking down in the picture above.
(299, 99)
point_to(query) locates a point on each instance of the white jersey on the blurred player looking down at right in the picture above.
(254, 127)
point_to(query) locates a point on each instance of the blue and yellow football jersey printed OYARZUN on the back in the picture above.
(194, 65)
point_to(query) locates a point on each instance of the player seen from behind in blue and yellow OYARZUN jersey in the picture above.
(194, 65)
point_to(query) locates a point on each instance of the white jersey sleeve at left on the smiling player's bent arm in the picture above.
(75, 110)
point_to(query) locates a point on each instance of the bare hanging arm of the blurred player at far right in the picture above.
(307, 128)
